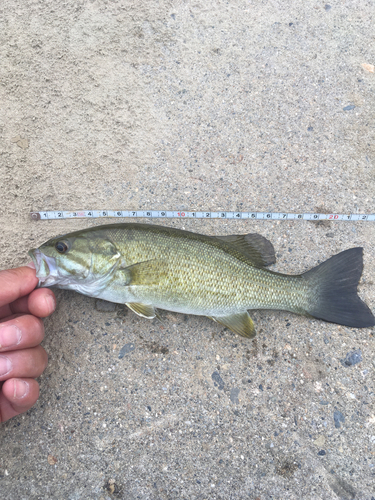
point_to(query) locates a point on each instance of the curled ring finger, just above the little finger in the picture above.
(26, 363)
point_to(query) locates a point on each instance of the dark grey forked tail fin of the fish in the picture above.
(334, 290)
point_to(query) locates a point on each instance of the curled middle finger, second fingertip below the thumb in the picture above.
(21, 332)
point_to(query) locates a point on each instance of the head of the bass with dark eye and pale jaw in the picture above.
(75, 261)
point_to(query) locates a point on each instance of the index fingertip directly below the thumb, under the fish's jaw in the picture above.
(40, 302)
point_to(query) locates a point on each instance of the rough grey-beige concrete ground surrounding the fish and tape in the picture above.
(212, 105)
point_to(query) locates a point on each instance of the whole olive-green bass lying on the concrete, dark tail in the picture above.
(150, 267)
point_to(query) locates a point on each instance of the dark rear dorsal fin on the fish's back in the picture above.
(254, 246)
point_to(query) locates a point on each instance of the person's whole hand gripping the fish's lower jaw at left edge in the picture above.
(21, 331)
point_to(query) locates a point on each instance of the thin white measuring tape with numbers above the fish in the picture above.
(166, 214)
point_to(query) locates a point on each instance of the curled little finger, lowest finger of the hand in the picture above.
(17, 396)
